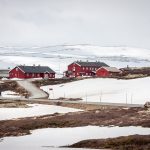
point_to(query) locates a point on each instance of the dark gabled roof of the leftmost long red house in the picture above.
(36, 69)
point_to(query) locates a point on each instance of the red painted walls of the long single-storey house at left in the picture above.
(18, 73)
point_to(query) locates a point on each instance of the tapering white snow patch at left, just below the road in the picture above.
(33, 110)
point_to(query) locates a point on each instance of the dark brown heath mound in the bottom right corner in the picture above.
(133, 142)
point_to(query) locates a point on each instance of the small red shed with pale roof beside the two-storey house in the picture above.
(107, 72)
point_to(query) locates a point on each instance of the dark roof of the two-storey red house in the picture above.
(91, 64)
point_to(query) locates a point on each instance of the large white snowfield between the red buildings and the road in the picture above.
(135, 91)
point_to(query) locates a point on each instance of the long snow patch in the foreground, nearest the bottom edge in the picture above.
(67, 136)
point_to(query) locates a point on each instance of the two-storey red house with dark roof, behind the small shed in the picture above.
(80, 68)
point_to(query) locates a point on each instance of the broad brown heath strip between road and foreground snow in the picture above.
(93, 115)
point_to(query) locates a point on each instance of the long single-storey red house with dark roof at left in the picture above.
(26, 72)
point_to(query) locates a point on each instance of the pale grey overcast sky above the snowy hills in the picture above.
(97, 22)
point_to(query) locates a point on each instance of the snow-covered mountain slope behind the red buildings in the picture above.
(58, 57)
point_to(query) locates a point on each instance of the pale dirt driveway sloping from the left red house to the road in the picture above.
(32, 89)
